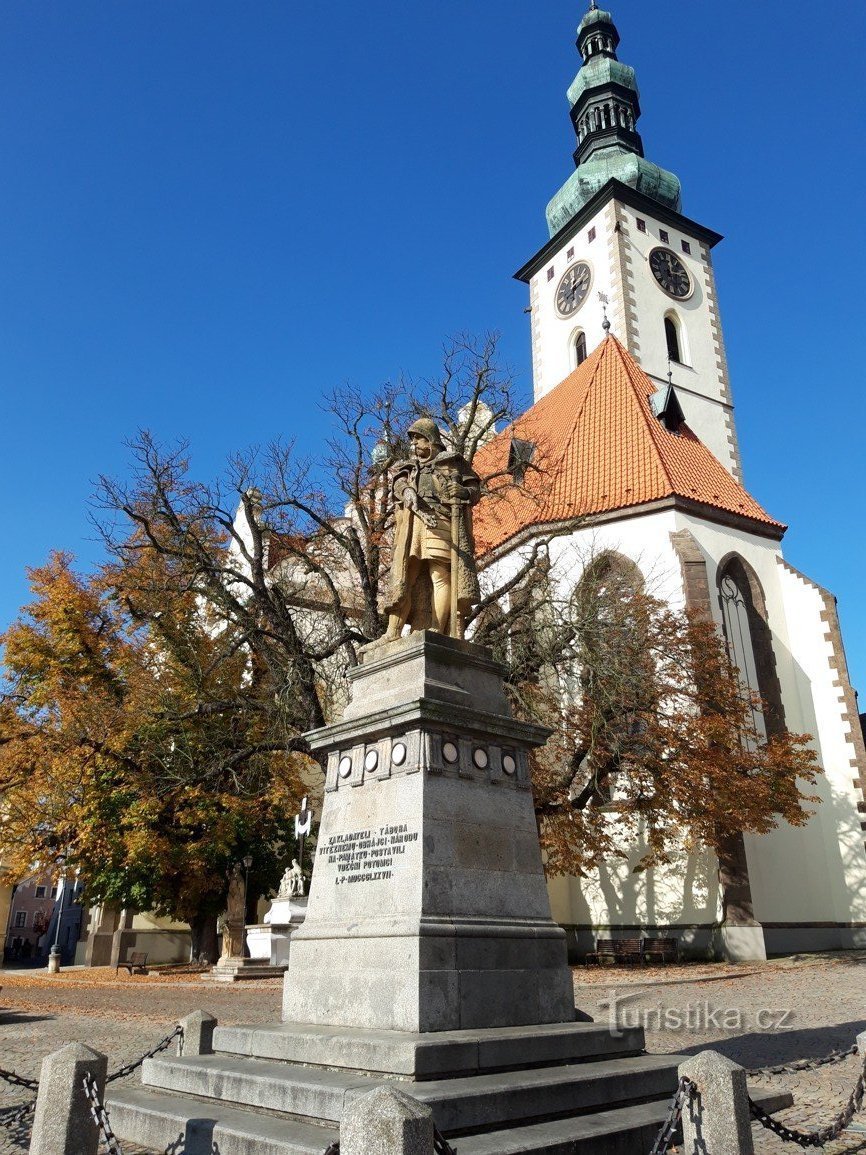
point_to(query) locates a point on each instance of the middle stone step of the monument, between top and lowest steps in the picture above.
(466, 1104)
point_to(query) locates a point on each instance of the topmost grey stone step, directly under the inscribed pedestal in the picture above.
(429, 1056)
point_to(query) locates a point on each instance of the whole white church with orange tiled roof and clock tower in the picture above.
(633, 433)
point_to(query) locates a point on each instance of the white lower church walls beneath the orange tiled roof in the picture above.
(809, 884)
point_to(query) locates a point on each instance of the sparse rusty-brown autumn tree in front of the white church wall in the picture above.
(655, 736)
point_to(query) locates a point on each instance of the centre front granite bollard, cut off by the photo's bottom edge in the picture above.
(386, 1122)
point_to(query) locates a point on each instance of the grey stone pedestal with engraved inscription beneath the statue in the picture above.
(429, 910)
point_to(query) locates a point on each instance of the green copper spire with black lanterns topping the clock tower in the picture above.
(606, 108)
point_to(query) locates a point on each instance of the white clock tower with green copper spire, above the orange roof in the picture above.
(621, 250)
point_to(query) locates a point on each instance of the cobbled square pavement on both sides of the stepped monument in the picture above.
(757, 1015)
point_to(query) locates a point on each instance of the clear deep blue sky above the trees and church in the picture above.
(213, 212)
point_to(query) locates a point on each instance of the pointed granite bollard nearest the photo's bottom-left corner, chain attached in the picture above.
(63, 1124)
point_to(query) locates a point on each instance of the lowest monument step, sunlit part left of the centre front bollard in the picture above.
(176, 1123)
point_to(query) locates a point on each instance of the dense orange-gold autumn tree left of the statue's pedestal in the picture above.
(118, 749)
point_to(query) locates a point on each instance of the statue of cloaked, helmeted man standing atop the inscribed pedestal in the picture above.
(435, 582)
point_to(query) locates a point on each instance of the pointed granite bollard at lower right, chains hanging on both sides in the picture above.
(718, 1122)
